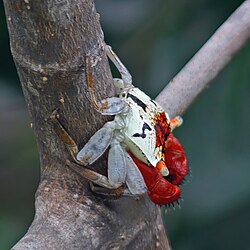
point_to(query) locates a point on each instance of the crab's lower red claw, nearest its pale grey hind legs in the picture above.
(160, 191)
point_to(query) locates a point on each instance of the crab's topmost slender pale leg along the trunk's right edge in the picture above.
(126, 77)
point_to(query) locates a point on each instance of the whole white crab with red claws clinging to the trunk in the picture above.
(143, 154)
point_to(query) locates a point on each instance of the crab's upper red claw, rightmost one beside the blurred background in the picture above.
(176, 160)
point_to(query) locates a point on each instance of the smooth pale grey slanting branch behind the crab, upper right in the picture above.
(206, 64)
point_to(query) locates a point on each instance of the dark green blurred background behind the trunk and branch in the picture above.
(154, 39)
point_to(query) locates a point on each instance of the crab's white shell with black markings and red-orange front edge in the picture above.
(140, 131)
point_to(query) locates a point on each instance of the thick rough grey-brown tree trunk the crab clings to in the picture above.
(49, 41)
